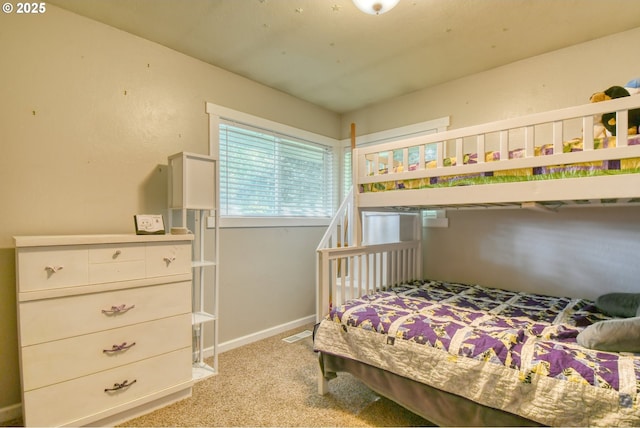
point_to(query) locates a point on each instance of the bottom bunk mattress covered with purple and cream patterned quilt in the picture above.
(515, 352)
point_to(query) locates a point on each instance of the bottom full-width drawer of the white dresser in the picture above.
(87, 396)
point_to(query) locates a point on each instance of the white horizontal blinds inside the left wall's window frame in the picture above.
(267, 174)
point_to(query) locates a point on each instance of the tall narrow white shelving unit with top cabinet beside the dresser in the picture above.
(193, 206)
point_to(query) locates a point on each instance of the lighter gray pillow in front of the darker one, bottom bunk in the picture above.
(617, 335)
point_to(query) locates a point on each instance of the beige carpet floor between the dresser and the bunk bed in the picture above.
(274, 383)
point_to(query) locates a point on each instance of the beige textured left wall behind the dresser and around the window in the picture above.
(88, 116)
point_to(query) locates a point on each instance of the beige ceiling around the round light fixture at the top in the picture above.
(329, 53)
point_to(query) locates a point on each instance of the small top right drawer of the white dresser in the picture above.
(168, 259)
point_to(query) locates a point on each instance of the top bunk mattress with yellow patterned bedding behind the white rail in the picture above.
(549, 172)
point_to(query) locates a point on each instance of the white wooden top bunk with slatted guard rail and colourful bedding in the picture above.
(545, 160)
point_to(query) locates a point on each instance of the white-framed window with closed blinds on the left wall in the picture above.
(272, 174)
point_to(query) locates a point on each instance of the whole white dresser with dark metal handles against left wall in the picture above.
(104, 326)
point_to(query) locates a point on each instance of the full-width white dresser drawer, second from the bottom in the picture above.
(61, 360)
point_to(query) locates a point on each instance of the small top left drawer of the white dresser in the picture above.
(52, 267)
